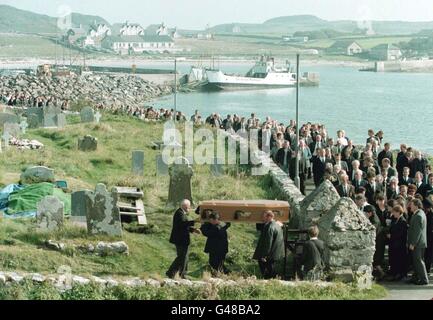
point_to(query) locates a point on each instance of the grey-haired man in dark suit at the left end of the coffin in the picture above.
(180, 237)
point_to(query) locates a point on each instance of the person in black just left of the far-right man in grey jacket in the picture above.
(398, 255)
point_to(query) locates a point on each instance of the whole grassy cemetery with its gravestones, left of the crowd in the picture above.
(81, 209)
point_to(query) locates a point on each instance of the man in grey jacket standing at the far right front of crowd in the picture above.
(417, 241)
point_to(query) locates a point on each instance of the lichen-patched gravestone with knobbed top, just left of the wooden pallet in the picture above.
(103, 216)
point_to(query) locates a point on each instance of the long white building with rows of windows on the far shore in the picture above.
(129, 44)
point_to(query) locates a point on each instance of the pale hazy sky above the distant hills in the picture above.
(198, 13)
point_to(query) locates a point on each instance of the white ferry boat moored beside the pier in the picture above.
(263, 75)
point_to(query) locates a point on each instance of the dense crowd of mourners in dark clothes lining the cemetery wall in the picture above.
(394, 191)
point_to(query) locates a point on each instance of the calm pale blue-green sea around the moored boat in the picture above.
(400, 104)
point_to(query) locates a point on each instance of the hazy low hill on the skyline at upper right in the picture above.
(291, 24)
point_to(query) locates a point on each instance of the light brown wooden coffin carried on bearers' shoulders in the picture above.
(249, 211)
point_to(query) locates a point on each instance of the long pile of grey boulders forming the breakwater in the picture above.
(106, 90)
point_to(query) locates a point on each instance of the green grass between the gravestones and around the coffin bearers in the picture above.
(111, 164)
